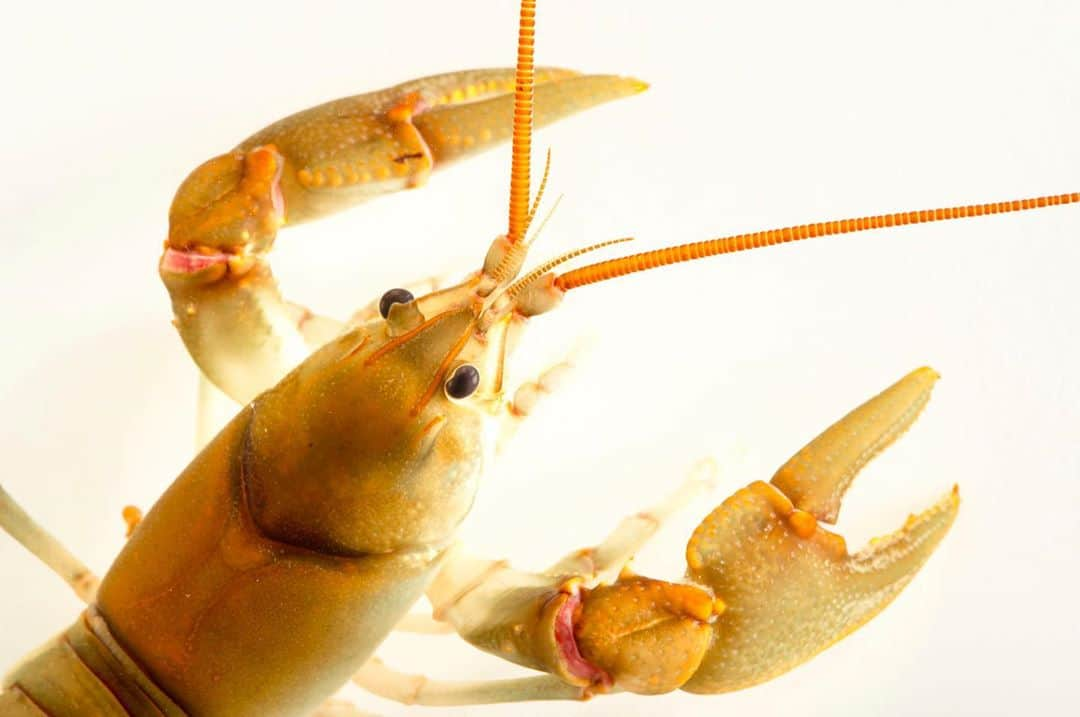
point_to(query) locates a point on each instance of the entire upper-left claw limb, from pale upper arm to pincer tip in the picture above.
(225, 218)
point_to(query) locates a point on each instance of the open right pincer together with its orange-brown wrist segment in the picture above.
(786, 588)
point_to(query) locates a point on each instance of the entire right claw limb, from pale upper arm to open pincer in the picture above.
(768, 587)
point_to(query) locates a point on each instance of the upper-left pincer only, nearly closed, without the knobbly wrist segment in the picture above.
(349, 151)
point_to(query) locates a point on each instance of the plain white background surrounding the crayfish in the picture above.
(761, 115)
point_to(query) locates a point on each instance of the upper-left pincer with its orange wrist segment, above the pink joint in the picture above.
(341, 154)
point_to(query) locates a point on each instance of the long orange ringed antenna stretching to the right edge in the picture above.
(613, 268)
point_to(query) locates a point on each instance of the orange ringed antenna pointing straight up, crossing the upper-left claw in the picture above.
(523, 126)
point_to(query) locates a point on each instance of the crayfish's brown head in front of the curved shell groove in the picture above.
(375, 443)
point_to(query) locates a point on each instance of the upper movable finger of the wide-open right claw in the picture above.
(817, 478)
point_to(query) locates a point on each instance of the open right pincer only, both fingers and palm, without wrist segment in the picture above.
(791, 587)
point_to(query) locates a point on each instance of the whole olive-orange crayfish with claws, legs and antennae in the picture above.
(302, 535)
